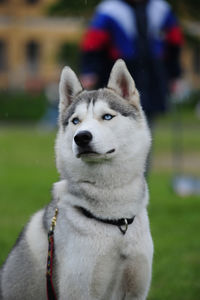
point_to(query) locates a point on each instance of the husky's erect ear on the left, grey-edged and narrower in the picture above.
(69, 87)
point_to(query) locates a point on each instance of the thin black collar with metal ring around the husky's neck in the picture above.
(121, 223)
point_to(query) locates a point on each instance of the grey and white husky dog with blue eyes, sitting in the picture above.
(102, 243)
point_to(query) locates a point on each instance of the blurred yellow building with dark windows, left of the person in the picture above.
(30, 42)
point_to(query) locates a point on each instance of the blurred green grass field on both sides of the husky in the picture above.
(27, 171)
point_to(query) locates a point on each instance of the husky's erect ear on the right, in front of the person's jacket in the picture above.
(122, 83)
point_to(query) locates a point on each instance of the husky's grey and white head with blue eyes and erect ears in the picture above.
(101, 127)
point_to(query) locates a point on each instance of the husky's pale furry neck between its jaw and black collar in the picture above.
(107, 202)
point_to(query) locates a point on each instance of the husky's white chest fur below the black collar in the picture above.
(95, 260)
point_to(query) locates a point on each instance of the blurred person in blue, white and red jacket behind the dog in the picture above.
(147, 36)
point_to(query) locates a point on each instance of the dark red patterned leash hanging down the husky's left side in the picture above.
(51, 295)
